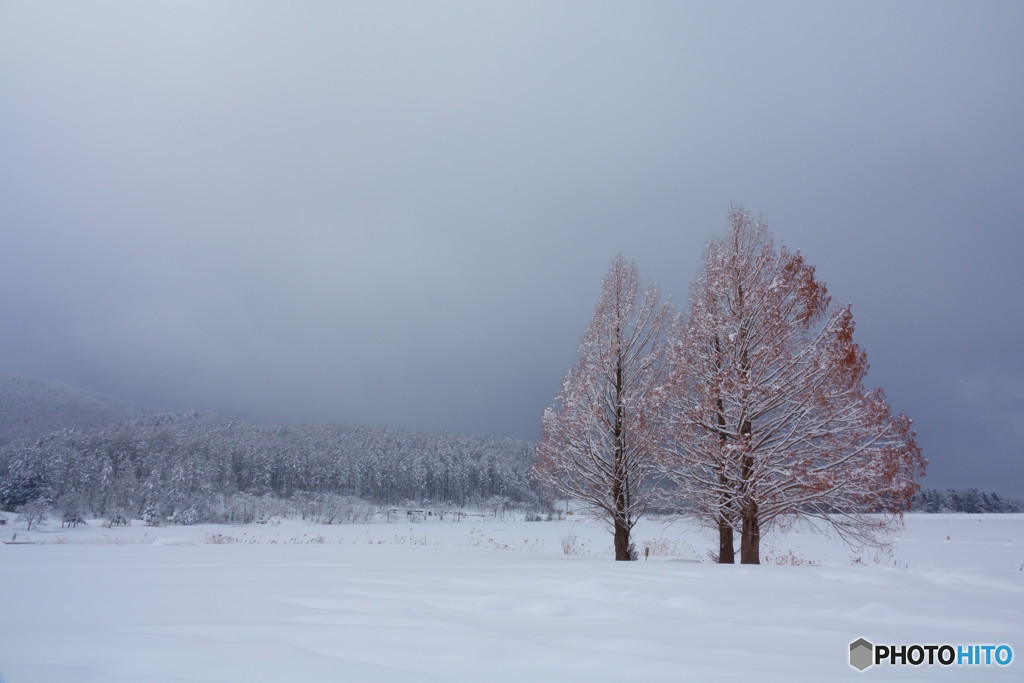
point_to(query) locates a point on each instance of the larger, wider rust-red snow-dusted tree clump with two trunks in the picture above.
(766, 413)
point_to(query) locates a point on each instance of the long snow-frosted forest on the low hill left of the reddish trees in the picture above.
(185, 467)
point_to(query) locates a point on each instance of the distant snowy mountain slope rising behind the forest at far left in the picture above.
(30, 408)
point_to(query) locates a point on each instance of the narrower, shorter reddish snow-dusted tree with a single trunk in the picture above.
(598, 443)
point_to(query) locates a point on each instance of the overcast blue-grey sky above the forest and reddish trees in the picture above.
(401, 212)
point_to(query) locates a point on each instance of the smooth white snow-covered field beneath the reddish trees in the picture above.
(496, 601)
